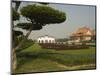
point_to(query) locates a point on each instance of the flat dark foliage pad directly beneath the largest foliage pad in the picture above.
(28, 25)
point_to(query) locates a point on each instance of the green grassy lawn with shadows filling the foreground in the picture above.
(36, 59)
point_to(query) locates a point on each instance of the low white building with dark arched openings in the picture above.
(46, 39)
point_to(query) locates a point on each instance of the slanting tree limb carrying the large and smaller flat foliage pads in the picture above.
(38, 16)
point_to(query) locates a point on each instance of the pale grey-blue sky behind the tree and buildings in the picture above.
(77, 16)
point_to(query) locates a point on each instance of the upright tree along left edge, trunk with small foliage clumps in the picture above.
(15, 16)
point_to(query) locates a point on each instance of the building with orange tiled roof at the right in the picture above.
(83, 34)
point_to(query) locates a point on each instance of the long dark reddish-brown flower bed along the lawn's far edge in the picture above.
(62, 46)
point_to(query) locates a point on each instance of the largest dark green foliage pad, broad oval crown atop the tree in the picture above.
(43, 14)
